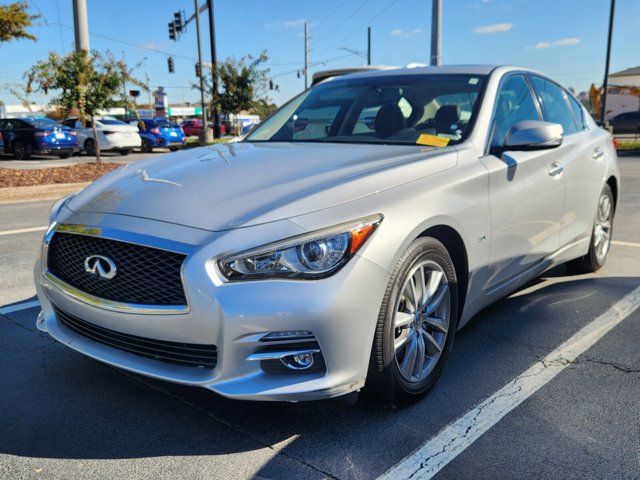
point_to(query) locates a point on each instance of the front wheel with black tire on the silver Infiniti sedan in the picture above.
(389, 379)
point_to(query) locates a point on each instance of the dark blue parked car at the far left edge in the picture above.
(24, 137)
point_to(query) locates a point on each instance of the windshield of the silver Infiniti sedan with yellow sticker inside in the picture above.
(429, 109)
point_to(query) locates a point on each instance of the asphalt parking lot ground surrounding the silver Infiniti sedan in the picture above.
(66, 416)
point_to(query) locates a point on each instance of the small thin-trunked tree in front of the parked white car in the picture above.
(86, 82)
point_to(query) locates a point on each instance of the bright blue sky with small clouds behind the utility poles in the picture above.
(564, 38)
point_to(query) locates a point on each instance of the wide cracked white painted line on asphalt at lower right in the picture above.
(434, 455)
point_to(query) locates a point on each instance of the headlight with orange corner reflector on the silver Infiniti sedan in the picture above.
(311, 255)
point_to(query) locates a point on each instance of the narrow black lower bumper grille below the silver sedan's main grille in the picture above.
(188, 354)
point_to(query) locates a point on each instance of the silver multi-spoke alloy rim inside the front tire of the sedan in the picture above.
(421, 321)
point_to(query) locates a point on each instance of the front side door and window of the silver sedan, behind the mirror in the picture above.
(527, 201)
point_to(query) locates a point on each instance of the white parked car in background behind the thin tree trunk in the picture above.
(112, 135)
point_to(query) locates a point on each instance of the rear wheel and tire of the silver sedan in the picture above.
(601, 235)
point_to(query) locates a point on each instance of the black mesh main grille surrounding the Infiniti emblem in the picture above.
(144, 275)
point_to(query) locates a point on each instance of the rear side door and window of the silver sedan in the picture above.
(583, 157)
